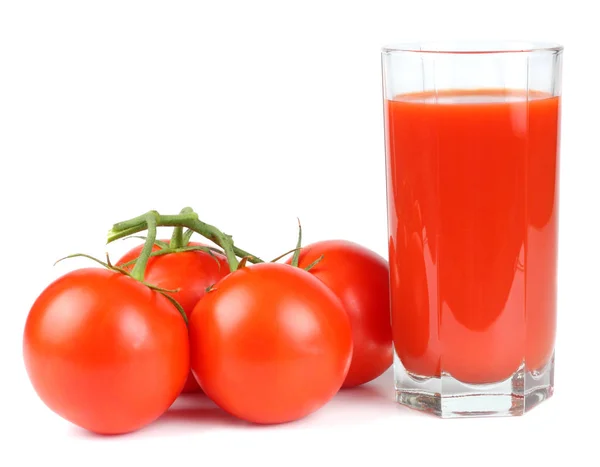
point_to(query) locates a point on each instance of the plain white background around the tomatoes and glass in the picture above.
(254, 113)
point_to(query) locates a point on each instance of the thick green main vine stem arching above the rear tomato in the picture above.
(190, 221)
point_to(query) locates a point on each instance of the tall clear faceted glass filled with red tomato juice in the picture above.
(472, 134)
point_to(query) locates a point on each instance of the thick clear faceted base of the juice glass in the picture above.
(447, 397)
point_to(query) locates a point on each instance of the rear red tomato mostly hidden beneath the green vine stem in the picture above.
(191, 272)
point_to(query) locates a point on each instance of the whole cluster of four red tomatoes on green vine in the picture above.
(111, 348)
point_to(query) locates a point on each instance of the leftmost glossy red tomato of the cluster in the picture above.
(104, 351)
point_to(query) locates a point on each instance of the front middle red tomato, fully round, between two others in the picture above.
(270, 343)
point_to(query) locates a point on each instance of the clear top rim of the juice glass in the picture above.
(472, 47)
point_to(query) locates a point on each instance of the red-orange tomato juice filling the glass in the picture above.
(472, 199)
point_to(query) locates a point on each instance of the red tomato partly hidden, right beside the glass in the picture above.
(360, 278)
